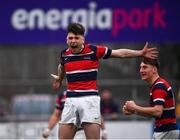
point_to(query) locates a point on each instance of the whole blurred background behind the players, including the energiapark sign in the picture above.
(32, 34)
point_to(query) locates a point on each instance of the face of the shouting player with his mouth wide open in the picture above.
(75, 41)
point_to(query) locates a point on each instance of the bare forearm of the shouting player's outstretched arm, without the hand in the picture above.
(125, 53)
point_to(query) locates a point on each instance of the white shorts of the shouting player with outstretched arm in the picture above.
(81, 109)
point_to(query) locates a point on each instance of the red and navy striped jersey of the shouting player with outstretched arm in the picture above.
(81, 69)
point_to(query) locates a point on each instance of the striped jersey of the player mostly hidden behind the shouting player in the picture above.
(60, 100)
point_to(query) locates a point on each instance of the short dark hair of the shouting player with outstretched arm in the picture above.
(76, 28)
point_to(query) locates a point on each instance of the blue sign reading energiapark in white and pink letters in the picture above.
(45, 21)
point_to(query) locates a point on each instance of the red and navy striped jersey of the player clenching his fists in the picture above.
(162, 94)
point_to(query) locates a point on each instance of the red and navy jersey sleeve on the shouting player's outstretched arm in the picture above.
(103, 52)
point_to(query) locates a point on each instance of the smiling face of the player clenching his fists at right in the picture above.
(146, 71)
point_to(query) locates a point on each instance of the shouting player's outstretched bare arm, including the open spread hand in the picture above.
(145, 52)
